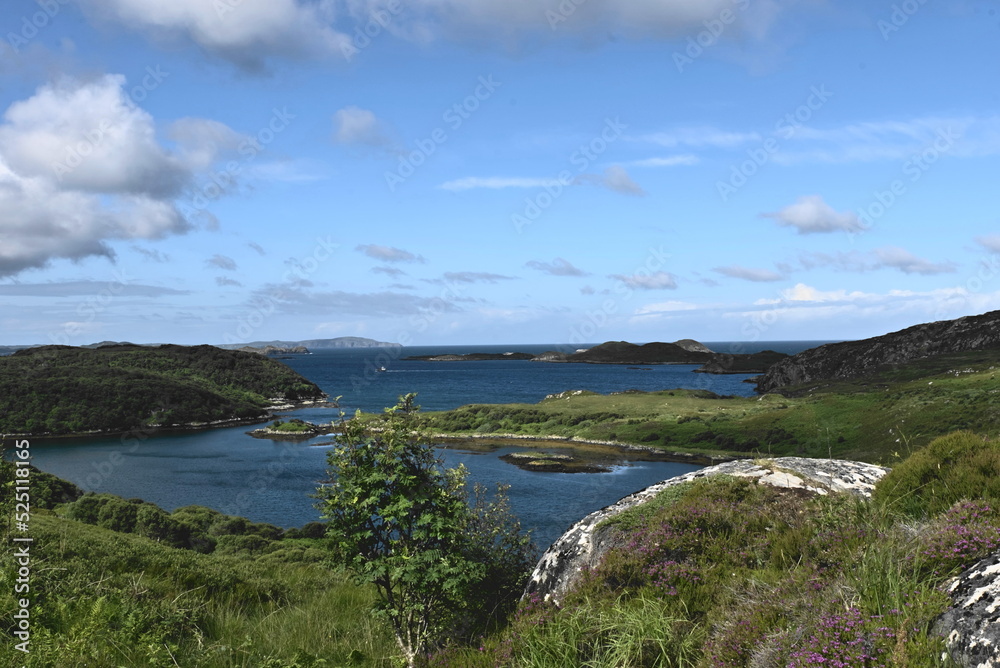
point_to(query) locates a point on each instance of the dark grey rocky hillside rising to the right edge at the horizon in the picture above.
(852, 359)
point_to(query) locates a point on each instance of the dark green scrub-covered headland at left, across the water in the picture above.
(63, 390)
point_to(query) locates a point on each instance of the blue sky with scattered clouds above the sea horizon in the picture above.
(495, 171)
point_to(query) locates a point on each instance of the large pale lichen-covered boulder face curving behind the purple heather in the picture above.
(585, 544)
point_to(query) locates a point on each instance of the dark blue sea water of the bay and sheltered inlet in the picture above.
(269, 481)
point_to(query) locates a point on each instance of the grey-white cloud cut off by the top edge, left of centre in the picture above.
(246, 33)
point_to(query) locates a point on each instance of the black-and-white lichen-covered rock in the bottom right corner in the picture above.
(971, 626)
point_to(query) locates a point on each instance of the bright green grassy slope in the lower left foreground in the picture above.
(102, 598)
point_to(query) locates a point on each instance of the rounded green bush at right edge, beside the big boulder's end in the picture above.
(960, 466)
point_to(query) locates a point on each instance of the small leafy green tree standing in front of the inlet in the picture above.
(401, 522)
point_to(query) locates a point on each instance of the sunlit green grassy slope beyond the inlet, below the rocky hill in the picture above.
(868, 419)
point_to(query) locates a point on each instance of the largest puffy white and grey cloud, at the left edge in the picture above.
(81, 167)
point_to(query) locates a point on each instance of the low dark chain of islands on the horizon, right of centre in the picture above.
(685, 351)
